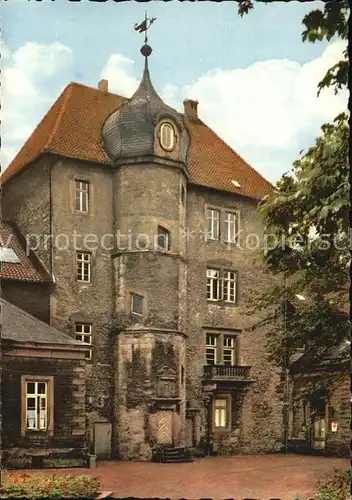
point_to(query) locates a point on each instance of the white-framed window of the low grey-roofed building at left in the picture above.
(36, 406)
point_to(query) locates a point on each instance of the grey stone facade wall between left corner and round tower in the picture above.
(75, 302)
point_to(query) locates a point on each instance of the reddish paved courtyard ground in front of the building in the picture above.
(252, 476)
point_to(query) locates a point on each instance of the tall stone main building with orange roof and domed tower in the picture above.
(148, 222)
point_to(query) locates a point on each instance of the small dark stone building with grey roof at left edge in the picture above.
(43, 391)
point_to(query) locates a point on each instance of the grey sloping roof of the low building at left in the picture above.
(19, 326)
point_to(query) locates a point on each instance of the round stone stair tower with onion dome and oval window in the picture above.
(148, 143)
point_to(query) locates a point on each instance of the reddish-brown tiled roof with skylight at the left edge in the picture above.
(29, 268)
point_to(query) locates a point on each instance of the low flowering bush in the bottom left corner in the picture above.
(42, 486)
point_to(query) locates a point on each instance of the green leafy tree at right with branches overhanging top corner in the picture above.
(308, 211)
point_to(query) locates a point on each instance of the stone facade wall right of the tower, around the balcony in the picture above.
(261, 411)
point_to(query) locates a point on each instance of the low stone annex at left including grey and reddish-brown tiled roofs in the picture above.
(42, 368)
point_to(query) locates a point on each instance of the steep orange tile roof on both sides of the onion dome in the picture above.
(72, 128)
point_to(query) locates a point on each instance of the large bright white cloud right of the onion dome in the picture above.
(270, 110)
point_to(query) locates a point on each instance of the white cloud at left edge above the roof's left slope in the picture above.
(32, 78)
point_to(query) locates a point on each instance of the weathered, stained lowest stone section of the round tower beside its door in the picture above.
(144, 357)
